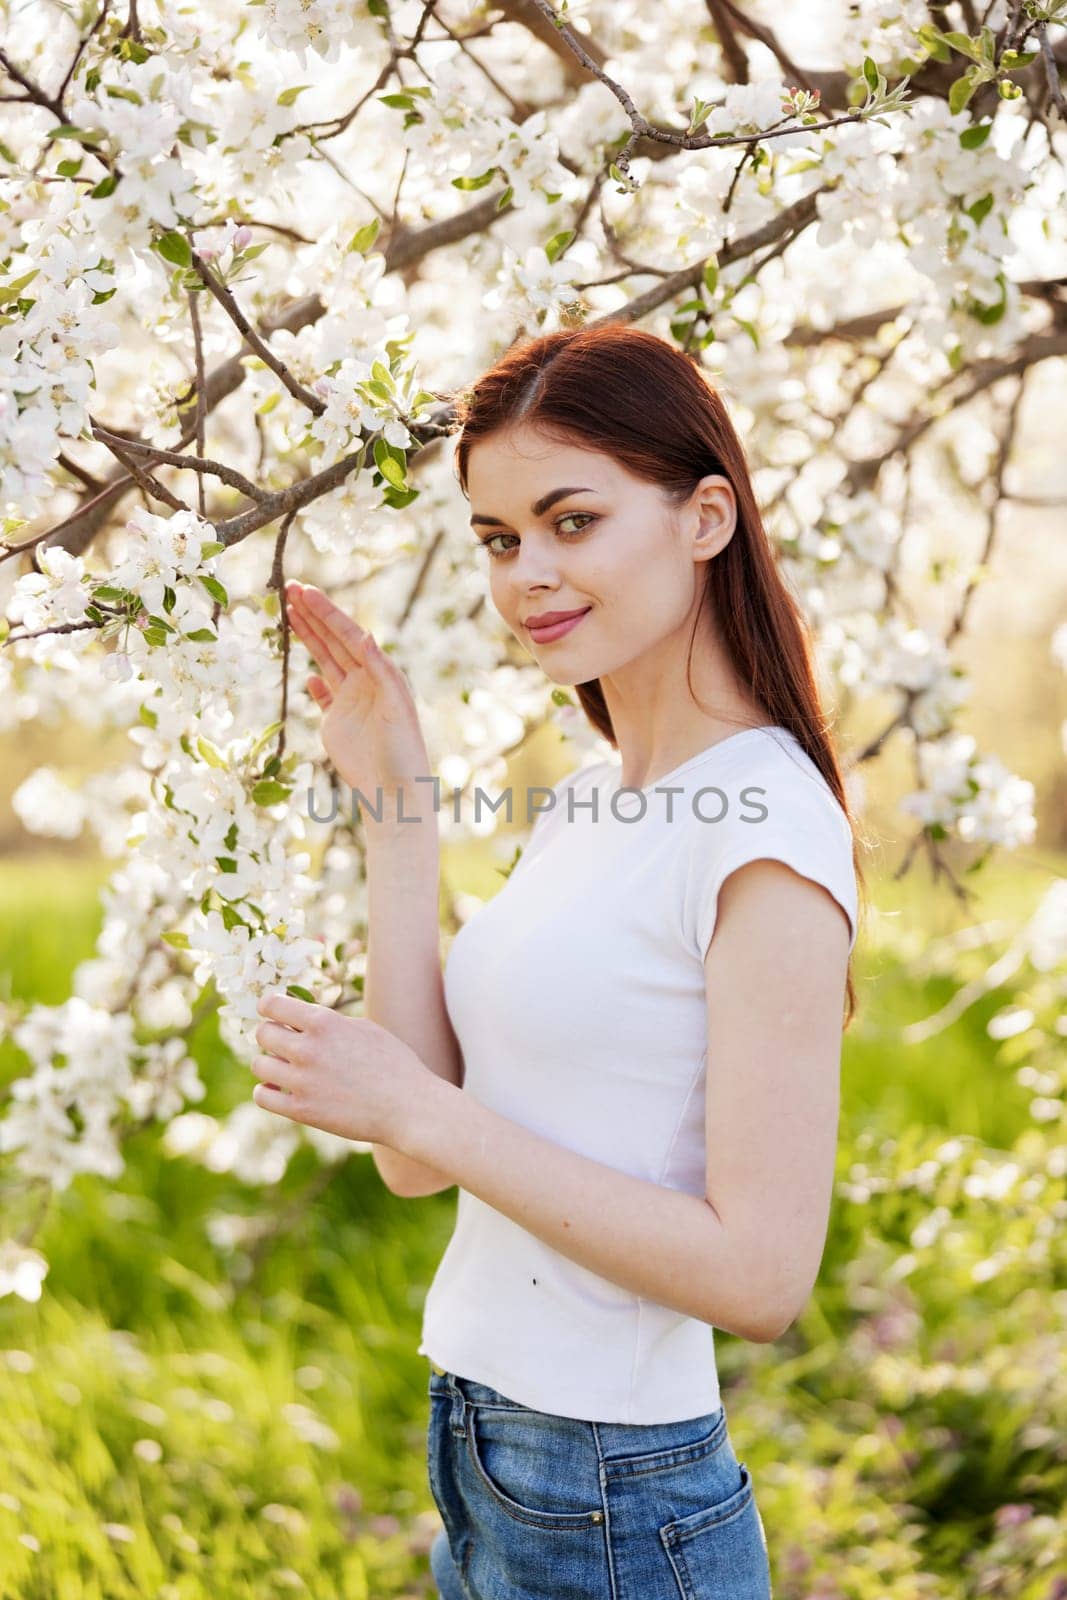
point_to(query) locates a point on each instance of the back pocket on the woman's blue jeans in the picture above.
(721, 1553)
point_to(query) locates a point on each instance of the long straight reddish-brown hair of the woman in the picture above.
(623, 391)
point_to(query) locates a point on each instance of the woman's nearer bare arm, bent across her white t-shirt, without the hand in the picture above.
(745, 1255)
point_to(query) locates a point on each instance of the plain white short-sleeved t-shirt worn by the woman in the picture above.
(578, 999)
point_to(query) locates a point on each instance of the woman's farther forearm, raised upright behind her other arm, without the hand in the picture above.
(404, 988)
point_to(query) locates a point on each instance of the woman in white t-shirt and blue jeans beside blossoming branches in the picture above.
(634, 1054)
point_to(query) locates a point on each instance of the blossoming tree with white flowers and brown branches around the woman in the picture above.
(249, 257)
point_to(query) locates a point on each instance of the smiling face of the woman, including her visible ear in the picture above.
(612, 546)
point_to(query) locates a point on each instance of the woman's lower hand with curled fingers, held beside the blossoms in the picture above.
(345, 1074)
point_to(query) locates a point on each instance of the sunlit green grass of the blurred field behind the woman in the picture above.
(185, 1420)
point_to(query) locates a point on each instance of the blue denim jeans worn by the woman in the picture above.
(548, 1506)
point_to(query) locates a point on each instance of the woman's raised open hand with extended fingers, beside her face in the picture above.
(370, 727)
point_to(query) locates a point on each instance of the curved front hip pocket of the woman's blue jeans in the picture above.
(530, 1465)
